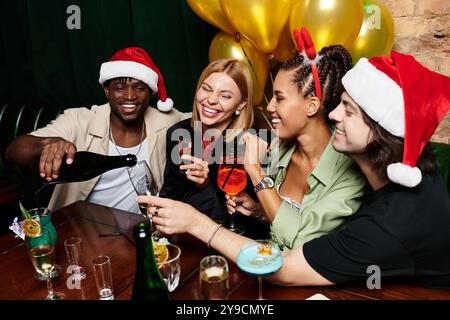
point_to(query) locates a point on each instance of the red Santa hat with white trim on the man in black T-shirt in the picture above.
(406, 99)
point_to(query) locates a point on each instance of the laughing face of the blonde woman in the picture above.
(217, 98)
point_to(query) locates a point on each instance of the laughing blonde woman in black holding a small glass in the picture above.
(222, 110)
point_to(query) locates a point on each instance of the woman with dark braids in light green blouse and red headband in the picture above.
(314, 187)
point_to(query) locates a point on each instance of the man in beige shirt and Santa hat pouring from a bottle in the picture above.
(124, 125)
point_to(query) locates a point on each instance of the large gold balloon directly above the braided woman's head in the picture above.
(329, 22)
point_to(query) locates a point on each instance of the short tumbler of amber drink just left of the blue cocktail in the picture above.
(214, 283)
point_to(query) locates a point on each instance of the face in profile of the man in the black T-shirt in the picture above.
(352, 133)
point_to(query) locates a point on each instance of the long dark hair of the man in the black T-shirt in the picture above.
(386, 148)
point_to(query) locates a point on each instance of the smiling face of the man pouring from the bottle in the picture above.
(128, 98)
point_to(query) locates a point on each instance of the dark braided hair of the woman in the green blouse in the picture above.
(334, 63)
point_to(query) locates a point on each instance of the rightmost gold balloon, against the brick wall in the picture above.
(376, 36)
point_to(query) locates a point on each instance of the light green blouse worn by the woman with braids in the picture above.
(336, 187)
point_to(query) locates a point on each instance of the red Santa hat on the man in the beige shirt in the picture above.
(135, 63)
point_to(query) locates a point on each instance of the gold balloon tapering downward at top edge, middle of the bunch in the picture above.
(261, 21)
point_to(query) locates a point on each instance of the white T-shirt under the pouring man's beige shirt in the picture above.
(114, 188)
